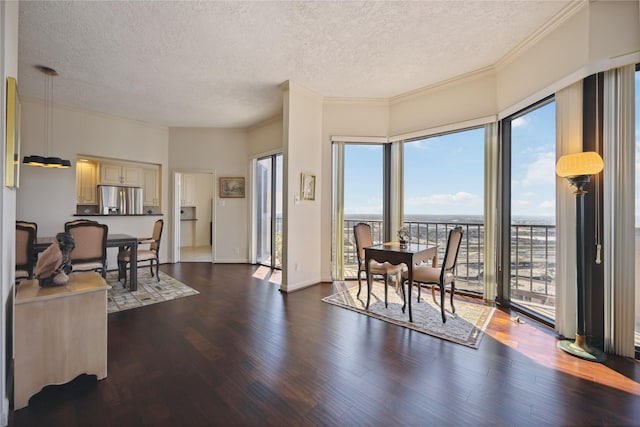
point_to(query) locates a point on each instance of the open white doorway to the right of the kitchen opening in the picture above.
(194, 231)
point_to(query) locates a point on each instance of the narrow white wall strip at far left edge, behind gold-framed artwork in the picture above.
(8, 68)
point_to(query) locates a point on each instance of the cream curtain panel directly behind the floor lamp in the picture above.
(568, 141)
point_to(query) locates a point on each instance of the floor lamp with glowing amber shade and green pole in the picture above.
(578, 169)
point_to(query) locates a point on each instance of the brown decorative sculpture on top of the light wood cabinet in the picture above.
(54, 265)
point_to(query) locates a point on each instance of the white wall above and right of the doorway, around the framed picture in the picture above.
(223, 151)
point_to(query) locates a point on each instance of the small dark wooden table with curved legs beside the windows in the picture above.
(409, 254)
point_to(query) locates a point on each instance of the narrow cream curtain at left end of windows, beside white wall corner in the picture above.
(337, 224)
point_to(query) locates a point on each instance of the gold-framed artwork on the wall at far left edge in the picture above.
(12, 147)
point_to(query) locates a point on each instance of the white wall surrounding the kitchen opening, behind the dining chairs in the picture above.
(47, 196)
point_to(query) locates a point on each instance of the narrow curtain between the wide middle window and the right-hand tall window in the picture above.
(491, 168)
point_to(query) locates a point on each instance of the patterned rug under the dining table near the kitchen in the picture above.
(149, 291)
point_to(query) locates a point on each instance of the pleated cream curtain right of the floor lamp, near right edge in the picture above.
(619, 196)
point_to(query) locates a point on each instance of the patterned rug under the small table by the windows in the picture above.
(466, 326)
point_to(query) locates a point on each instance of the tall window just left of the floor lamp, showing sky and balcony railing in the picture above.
(532, 205)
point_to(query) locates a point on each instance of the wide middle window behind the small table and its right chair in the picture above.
(444, 187)
